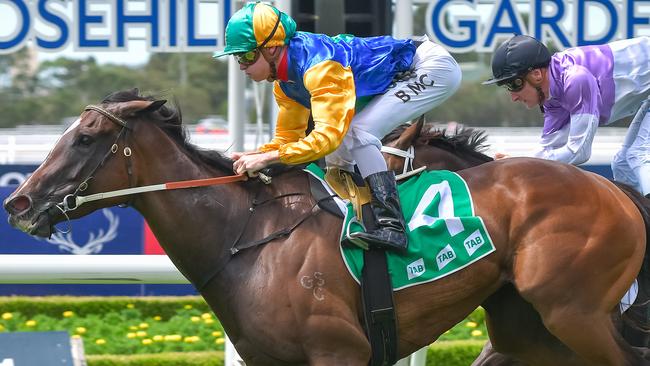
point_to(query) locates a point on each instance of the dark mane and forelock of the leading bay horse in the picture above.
(169, 119)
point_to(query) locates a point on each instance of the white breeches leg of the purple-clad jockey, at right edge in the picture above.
(631, 165)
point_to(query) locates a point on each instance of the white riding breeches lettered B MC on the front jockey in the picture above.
(436, 76)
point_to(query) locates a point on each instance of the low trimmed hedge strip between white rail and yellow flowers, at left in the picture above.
(56, 305)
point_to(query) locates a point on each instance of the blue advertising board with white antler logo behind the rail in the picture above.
(106, 231)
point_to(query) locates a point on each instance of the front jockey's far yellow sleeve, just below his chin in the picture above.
(291, 123)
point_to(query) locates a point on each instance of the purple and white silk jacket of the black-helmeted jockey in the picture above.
(592, 86)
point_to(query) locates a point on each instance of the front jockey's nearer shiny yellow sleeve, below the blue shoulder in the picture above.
(333, 96)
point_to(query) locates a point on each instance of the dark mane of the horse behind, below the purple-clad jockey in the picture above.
(463, 140)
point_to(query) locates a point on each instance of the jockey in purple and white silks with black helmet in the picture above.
(578, 90)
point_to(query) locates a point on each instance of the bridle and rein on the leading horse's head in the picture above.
(72, 201)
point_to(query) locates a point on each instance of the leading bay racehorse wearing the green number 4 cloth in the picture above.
(290, 301)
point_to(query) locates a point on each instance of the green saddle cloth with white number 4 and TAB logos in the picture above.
(444, 235)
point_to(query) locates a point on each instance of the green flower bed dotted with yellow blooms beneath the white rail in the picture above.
(115, 326)
